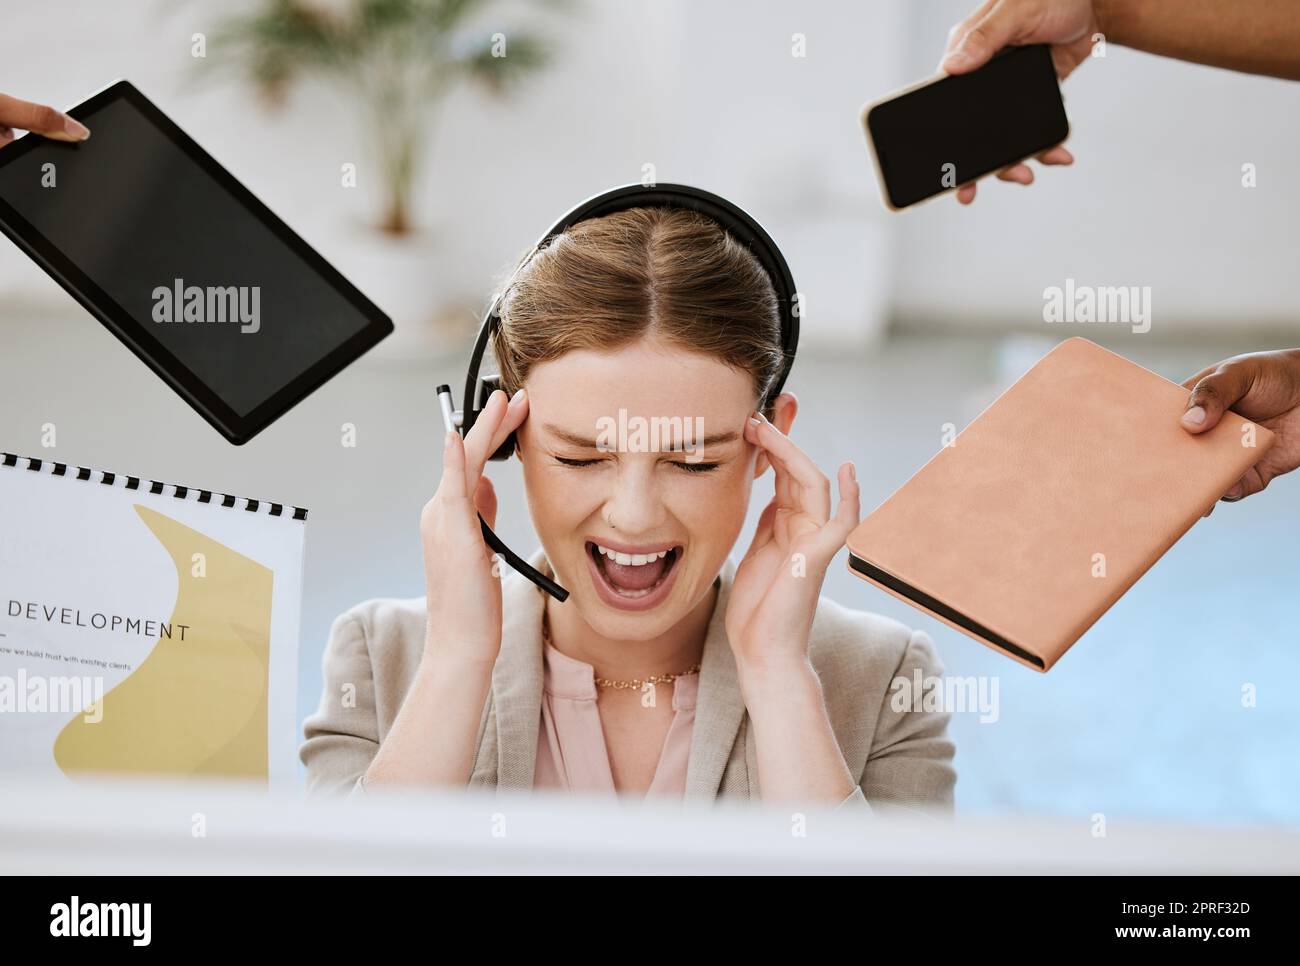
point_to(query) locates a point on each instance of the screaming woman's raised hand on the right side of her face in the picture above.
(778, 584)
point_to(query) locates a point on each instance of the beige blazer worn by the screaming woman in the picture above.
(902, 759)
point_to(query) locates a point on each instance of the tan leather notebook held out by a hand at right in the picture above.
(1052, 504)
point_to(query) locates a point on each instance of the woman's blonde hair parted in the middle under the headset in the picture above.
(669, 274)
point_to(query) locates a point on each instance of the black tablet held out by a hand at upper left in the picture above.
(183, 263)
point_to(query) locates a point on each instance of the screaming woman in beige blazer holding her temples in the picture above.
(670, 670)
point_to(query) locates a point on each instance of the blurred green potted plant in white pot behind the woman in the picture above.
(395, 62)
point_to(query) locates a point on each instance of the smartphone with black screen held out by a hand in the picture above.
(944, 132)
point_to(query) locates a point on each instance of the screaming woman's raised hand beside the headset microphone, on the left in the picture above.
(462, 574)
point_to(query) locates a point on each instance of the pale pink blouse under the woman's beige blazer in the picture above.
(571, 752)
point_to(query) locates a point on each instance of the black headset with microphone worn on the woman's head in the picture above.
(738, 223)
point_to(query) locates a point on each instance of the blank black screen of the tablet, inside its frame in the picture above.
(236, 302)
